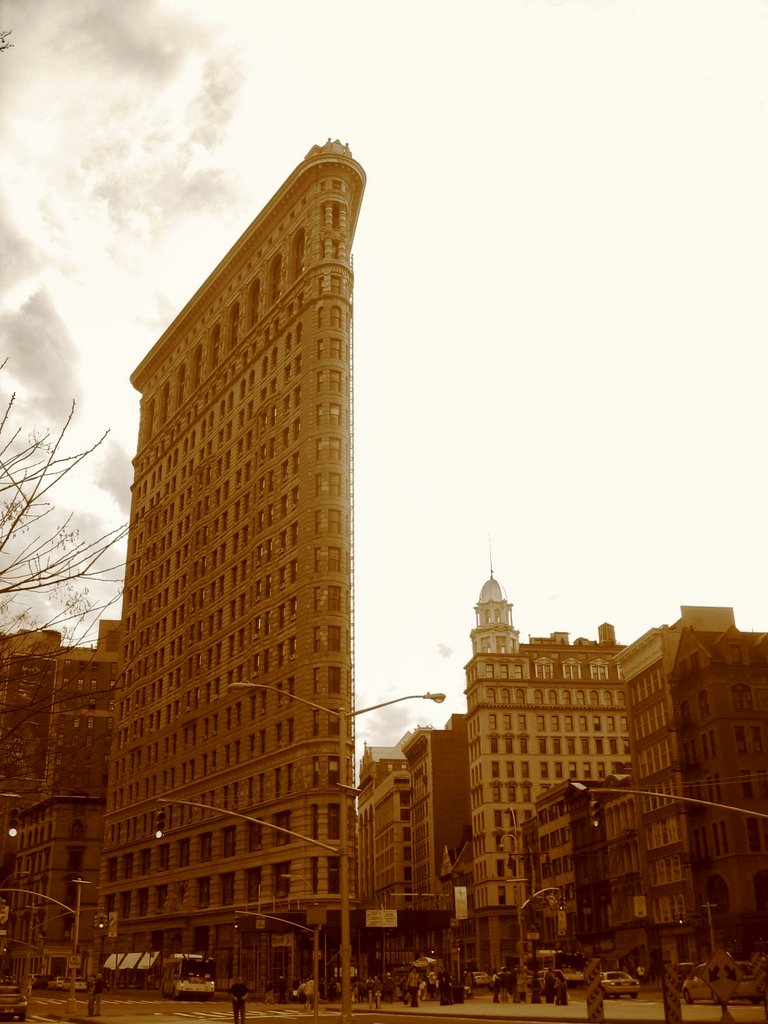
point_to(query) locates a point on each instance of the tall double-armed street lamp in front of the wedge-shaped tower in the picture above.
(346, 958)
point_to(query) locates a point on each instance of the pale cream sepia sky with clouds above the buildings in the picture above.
(561, 300)
